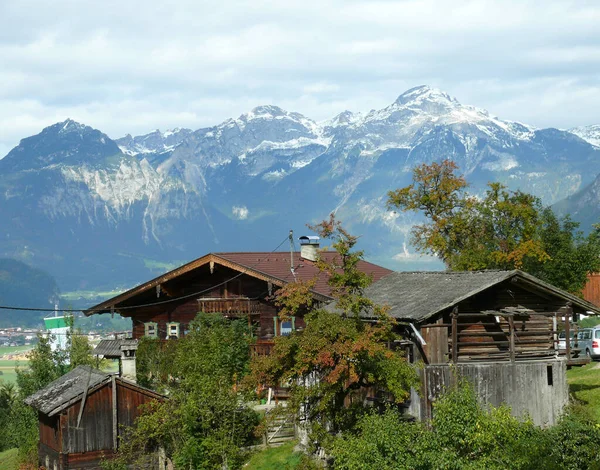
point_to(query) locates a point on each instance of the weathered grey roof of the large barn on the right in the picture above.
(417, 296)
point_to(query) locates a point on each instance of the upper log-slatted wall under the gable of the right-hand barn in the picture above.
(506, 322)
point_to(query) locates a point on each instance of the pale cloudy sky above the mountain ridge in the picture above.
(133, 66)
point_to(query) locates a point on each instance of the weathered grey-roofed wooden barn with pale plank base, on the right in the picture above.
(497, 328)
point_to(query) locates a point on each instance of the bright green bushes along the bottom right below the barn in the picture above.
(464, 435)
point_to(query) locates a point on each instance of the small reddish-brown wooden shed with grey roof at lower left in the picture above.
(82, 415)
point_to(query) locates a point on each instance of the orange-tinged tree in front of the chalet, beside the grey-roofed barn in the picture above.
(329, 365)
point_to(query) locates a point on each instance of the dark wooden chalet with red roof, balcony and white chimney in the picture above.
(234, 284)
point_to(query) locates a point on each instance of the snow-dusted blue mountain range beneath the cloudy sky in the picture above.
(94, 211)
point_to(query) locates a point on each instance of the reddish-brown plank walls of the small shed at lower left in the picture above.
(65, 445)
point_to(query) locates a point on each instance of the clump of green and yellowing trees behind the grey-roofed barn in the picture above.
(502, 230)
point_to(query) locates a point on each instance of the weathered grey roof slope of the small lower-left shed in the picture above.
(56, 395)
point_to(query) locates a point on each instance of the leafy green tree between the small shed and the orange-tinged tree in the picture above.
(204, 423)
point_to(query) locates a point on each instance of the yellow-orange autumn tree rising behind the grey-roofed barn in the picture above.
(500, 230)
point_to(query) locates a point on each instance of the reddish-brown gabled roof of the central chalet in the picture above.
(274, 267)
